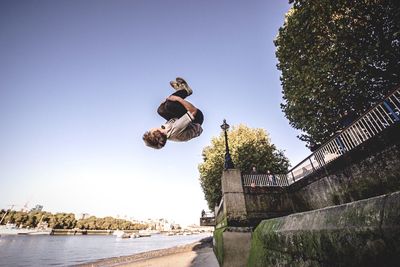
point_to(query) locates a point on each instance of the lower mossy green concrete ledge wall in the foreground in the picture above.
(361, 233)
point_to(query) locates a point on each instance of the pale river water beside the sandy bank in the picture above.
(72, 250)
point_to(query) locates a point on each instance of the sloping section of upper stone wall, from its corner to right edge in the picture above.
(370, 170)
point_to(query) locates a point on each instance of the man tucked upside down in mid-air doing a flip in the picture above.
(184, 120)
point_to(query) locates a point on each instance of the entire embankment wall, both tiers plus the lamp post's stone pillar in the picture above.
(365, 230)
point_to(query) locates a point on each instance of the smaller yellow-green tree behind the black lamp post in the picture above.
(249, 147)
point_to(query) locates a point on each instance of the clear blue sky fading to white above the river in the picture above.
(80, 82)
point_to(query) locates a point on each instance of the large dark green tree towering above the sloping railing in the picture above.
(336, 56)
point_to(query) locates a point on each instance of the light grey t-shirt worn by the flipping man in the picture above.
(182, 129)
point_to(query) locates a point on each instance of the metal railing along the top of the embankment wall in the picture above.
(381, 116)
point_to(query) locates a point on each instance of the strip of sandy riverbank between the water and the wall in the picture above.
(199, 254)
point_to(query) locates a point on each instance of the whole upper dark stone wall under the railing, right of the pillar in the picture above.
(372, 169)
